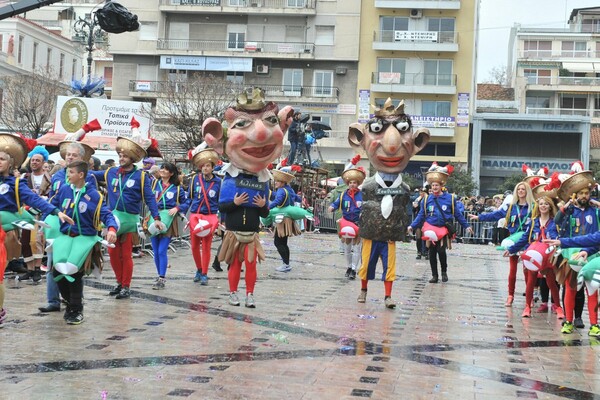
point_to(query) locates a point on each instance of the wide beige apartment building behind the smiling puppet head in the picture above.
(303, 53)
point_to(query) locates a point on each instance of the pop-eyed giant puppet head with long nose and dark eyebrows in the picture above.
(388, 138)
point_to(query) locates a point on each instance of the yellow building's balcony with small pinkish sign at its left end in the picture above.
(396, 82)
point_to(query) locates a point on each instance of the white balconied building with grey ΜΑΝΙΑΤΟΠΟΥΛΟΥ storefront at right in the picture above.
(554, 74)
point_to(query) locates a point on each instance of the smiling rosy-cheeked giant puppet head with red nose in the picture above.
(254, 135)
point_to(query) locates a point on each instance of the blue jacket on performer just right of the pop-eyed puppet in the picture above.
(429, 211)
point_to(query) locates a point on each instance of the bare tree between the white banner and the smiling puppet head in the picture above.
(183, 105)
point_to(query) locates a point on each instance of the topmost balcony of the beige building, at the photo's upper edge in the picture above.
(292, 7)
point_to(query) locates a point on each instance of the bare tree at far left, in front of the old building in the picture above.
(29, 101)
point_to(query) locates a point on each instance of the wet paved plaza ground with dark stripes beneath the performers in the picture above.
(308, 338)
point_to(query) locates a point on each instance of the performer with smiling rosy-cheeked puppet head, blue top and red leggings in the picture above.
(253, 140)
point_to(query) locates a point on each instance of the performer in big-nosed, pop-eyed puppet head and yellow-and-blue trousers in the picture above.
(390, 142)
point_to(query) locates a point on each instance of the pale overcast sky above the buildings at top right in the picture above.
(498, 16)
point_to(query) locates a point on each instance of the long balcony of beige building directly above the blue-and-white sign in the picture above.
(242, 48)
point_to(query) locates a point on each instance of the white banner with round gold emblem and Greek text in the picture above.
(114, 116)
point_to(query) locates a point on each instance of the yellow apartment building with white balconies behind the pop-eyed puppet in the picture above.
(422, 52)
